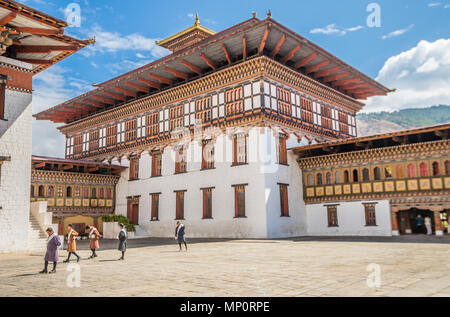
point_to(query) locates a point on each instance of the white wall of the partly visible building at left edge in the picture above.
(15, 141)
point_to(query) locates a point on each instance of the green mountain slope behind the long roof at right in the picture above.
(384, 122)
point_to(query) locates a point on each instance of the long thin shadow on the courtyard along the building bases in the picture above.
(149, 242)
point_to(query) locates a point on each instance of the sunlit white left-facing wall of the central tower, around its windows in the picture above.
(223, 224)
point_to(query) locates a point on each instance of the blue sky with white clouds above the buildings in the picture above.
(409, 48)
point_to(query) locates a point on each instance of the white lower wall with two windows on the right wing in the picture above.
(351, 220)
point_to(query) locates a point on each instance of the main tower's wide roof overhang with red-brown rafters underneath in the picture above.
(248, 39)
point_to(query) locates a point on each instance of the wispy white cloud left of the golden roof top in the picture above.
(111, 42)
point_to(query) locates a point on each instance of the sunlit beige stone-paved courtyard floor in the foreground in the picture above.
(409, 266)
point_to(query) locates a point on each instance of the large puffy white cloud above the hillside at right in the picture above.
(421, 76)
